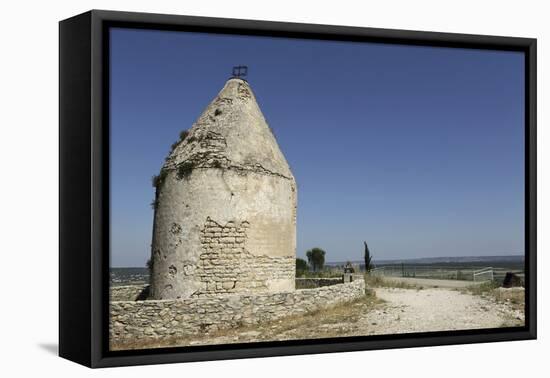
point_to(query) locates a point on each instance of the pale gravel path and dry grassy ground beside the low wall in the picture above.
(390, 311)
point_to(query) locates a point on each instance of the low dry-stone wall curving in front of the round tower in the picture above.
(157, 319)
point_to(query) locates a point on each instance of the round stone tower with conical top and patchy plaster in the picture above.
(225, 206)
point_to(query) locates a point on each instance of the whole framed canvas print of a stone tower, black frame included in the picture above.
(234, 188)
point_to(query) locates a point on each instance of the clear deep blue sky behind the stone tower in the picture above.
(417, 150)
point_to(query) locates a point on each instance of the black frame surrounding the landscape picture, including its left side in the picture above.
(84, 187)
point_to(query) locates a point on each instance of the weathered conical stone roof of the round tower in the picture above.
(231, 133)
